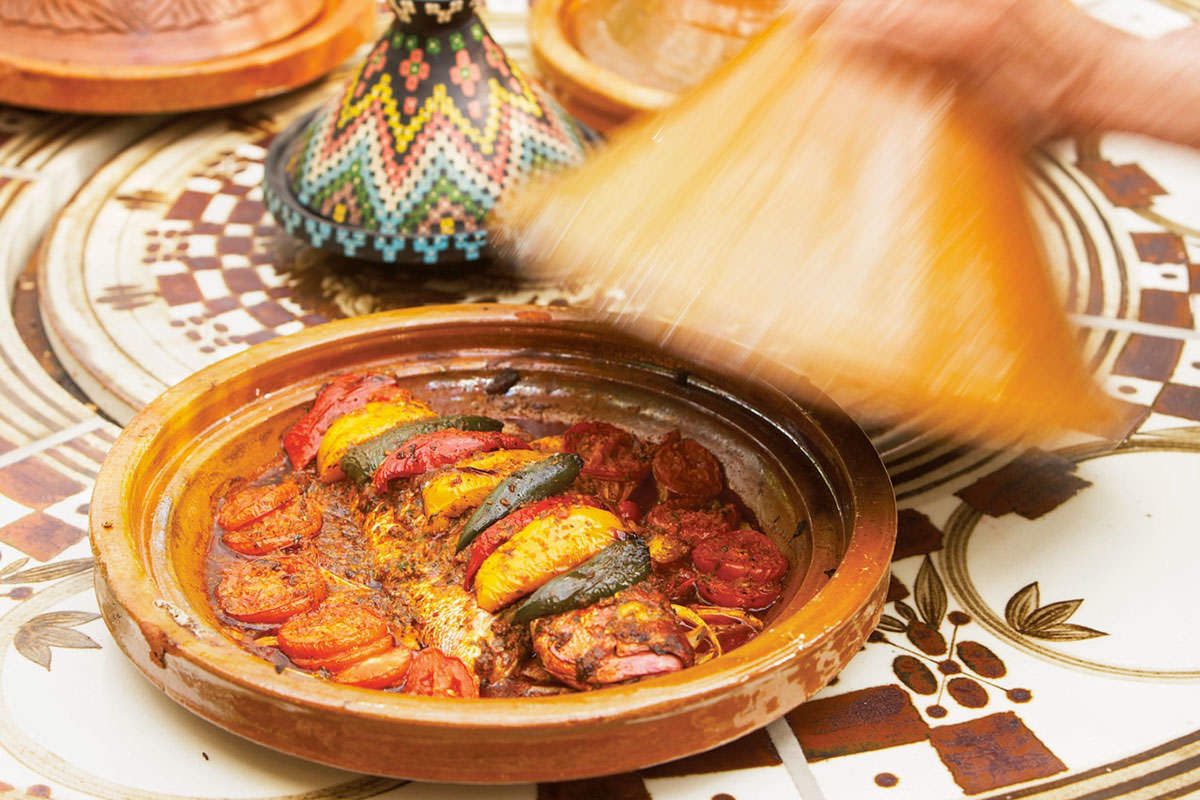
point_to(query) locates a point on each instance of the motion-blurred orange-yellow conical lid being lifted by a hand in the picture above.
(853, 221)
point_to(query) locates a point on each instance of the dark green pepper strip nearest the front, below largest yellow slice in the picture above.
(619, 567)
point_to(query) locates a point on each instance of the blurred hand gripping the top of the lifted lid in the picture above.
(1040, 64)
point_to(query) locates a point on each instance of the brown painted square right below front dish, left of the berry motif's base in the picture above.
(857, 723)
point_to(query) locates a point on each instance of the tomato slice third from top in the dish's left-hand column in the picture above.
(269, 592)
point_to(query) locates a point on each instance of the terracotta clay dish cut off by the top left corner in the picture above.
(155, 57)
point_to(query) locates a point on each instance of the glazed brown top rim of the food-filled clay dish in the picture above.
(862, 572)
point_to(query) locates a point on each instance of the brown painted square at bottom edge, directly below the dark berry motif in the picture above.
(993, 753)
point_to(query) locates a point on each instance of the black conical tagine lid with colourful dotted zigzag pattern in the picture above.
(405, 165)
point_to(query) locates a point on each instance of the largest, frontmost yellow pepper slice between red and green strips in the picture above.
(544, 549)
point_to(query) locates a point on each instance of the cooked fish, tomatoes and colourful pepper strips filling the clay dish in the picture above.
(395, 549)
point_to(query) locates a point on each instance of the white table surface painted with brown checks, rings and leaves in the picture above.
(1040, 640)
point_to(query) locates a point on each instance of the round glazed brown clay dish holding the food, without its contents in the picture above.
(809, 473)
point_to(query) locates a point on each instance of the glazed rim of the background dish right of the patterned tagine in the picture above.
(595, 83)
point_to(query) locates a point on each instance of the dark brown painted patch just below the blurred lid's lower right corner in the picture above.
(1034, 485)
